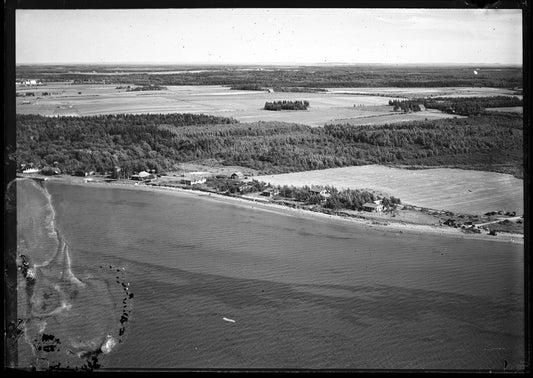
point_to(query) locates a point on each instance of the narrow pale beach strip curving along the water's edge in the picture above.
(398, 227)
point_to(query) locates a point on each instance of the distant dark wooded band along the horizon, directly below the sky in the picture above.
(319, 76)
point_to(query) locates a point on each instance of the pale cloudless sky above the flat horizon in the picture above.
(269, 36)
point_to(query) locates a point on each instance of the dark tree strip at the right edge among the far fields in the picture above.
(469, 106)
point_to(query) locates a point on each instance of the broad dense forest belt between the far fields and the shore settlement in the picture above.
(138, 142)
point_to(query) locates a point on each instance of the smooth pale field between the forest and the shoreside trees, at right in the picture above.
(456, 190)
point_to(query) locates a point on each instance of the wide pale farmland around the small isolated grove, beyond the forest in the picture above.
(245, 106)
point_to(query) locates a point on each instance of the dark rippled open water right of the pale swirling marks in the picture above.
(302, 293)
